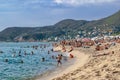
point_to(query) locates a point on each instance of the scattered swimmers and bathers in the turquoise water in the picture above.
(42, 48)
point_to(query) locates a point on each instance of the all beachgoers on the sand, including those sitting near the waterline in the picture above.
(99, 43)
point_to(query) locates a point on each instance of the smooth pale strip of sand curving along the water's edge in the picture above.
(80, 58)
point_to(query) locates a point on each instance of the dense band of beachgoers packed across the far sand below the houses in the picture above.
(89, 42)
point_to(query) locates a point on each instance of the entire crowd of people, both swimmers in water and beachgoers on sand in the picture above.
(100, 44)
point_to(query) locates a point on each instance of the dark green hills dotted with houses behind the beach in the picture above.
(68, 28)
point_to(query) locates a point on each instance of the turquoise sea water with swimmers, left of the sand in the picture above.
(18, 63)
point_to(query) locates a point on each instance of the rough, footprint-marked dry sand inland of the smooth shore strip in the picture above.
(101, 67)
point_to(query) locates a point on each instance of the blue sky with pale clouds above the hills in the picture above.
(37, 13)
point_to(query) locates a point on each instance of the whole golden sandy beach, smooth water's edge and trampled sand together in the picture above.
(89, 64)
